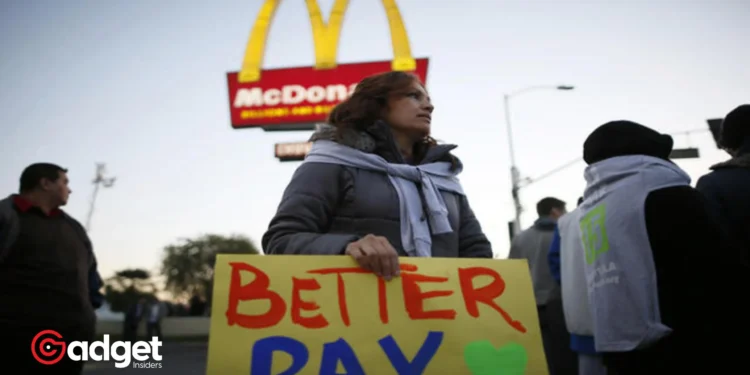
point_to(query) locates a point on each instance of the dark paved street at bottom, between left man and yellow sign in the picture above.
(184, 358)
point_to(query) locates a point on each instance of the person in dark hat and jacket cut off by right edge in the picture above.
(727, 187)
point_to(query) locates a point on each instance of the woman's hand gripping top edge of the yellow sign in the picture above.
(375, 253)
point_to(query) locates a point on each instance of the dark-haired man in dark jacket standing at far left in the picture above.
(48, 277)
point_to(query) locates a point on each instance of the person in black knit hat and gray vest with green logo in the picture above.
(653, 259)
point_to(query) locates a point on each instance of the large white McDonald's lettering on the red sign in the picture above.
(291, 95)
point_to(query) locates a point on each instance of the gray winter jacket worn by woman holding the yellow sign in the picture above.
(327, 206)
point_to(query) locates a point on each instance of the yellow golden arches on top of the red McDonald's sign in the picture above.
(325, 38)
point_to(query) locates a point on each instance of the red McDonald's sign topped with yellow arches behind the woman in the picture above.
(298, 98)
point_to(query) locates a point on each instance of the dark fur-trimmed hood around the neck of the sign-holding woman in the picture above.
(378, 139)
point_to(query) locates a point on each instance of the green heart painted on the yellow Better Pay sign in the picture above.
(483, 359)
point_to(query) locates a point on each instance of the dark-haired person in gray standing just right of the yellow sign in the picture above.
(533, 244)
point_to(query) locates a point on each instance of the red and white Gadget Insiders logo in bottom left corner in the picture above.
(48, 348)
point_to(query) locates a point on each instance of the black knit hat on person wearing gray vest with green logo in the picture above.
(619, 138)
